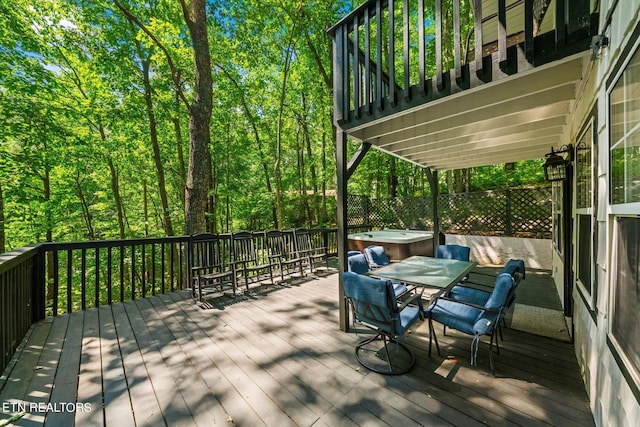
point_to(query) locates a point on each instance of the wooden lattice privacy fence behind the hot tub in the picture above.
(522, 212)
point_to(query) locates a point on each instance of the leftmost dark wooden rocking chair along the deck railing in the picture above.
(208, 267)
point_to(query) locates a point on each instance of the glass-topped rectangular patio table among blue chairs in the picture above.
(427, 272)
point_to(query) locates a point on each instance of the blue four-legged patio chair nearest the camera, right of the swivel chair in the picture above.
(472, 319)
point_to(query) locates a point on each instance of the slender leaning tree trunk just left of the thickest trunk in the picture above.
(153, 133)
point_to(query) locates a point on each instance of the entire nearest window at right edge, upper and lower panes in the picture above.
(624, 185)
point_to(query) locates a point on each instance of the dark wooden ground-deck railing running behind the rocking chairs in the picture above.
(50, 279)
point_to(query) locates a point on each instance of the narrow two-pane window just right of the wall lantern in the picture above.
(585, 223)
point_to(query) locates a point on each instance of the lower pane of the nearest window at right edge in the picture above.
(626, 304)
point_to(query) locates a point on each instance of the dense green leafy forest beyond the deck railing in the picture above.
(99, 103)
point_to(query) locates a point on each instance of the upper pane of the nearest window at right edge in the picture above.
(625, 135)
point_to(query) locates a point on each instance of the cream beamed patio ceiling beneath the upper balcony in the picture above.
(512, 119)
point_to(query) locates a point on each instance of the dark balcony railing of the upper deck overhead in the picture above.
(392, 55)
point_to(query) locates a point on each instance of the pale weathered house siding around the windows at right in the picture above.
(612, 400)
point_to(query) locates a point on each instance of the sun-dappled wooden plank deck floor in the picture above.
(274, 358)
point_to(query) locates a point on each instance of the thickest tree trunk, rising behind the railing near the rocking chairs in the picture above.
(199, 175)
